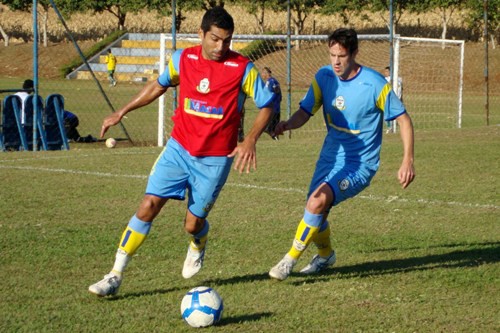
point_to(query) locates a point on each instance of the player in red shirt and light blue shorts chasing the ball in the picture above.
(213, 84)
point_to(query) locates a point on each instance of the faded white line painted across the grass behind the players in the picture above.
(387, 199)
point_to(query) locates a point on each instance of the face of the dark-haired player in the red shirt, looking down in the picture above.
(215, 43)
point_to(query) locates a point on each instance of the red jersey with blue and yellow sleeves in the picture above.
(211, 98)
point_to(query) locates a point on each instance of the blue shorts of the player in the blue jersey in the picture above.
(345, 181)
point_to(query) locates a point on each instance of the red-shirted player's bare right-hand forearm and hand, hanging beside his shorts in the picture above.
(246, 151)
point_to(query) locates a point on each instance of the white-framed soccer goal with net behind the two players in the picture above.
(431, 71)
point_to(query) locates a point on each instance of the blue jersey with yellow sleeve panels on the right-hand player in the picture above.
(354, 111)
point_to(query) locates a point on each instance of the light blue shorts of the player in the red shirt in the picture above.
(176, 170)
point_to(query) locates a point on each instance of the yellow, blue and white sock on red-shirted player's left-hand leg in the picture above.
(132, 238)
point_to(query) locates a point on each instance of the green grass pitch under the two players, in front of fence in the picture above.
(425, 259)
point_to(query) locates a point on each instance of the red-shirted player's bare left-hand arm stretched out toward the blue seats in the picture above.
(148, 94)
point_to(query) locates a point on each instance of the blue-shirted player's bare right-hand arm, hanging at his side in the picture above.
(406, 172)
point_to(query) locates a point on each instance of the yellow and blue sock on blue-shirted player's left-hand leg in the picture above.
(306, 231)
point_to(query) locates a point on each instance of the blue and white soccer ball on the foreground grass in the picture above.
(201, 307)
